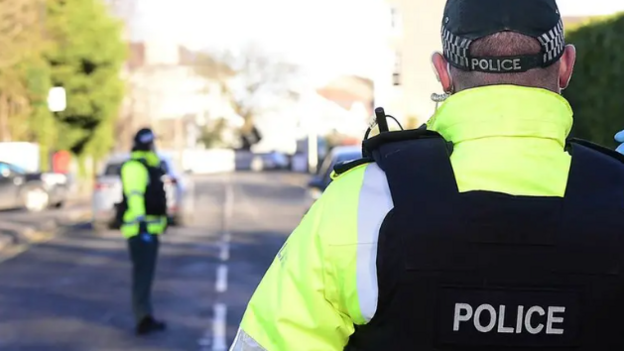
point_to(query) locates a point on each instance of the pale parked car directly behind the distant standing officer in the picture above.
(107, 193)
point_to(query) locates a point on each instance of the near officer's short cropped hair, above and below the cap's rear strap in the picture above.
(507, 44)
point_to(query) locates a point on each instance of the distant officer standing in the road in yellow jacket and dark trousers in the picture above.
(144, 210)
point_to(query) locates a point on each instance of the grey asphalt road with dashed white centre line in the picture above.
(72, 292)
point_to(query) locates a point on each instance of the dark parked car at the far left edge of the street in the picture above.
(34, 191)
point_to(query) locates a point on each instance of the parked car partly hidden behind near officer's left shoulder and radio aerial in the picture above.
(322, 179)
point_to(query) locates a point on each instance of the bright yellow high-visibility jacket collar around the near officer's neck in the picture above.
(503, 111)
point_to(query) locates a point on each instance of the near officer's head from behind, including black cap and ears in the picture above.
(492, 42)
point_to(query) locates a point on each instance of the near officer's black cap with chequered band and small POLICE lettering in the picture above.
(465, 21)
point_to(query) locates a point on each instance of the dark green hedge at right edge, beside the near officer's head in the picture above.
(596, 91)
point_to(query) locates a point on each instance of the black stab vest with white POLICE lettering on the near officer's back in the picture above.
(491, 271)
